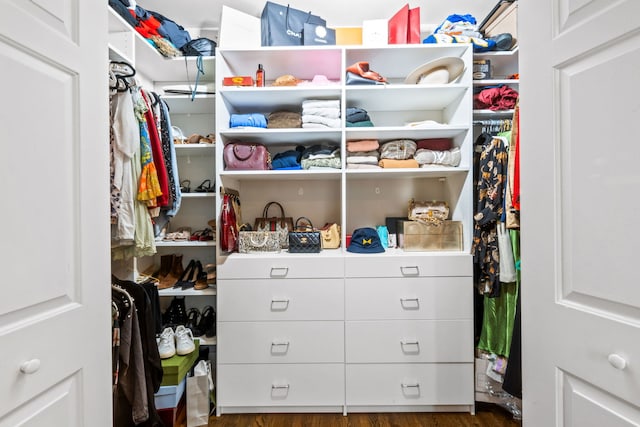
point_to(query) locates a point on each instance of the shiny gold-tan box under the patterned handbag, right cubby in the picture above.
(422, 237)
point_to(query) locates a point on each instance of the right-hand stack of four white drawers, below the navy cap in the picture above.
(409, 334)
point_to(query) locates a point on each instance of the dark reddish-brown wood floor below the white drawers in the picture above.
(487, 415)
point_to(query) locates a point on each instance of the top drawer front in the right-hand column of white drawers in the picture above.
(410, 266)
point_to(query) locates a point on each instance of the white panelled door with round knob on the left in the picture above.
(55, 361)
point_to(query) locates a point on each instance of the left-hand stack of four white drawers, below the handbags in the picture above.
(281, 335)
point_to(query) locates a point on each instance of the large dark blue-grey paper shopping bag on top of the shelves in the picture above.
(284, 26)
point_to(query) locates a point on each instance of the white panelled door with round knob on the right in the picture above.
(580, 159)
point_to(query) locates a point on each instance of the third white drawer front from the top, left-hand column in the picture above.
(281, 342)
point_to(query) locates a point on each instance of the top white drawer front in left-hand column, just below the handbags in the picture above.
(270, 266)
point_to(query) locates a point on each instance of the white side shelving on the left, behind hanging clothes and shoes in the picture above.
(195, 162)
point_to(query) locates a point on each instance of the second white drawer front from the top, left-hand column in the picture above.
(257, 300)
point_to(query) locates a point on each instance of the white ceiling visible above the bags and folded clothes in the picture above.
(205, 14)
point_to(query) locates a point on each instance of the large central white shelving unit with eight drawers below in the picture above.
(294, 328)
